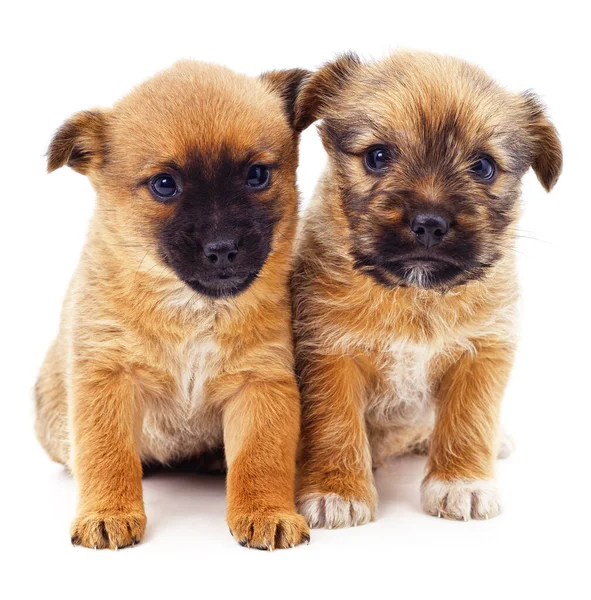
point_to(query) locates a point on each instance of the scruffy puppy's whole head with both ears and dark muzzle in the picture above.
(428, 153)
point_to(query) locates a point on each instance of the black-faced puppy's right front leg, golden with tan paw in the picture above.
(261, 429)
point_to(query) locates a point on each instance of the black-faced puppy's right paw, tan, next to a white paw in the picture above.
(268, 529)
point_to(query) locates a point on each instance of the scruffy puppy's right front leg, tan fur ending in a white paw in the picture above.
(460, 479)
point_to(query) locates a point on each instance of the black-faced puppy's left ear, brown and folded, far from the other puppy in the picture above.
(79, 142)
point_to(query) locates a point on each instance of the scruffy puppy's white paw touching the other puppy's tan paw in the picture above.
(332, 511)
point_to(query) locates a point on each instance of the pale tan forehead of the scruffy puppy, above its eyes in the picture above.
(408, 94)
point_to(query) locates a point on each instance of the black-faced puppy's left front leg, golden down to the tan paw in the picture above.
(105, 461)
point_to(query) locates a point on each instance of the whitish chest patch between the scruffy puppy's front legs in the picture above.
(403, 392)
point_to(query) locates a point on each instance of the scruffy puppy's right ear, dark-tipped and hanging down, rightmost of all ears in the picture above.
(546, 147)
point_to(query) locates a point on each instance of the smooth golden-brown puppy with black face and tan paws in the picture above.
(176, 331)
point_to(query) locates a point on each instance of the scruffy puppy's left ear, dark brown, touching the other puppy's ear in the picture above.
(321, 88)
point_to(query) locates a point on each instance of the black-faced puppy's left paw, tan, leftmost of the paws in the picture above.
(108, 530)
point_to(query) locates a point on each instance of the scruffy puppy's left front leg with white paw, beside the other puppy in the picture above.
(336, 486)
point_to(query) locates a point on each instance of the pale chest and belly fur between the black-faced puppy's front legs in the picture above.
(183, 422)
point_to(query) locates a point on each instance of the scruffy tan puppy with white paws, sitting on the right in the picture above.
(405, 284)
